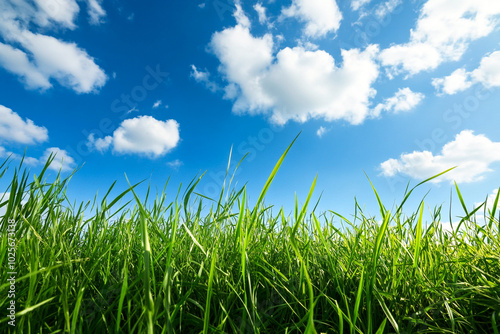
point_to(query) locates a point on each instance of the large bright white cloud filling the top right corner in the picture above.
(443, 32)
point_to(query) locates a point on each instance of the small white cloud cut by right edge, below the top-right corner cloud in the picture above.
(487, 74)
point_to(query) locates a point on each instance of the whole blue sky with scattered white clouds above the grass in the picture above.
(396, 90)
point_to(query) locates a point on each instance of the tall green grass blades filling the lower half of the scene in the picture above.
(199, 265)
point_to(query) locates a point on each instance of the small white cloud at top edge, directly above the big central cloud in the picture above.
(320, 16)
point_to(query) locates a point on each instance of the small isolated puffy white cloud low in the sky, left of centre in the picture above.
(143, 135)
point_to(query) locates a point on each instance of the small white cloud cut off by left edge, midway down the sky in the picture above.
(14, 129)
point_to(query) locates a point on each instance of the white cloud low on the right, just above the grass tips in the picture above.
(471, 154)
